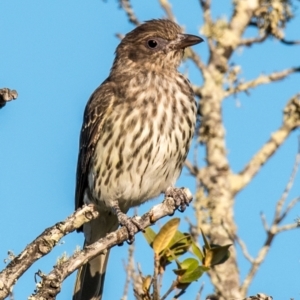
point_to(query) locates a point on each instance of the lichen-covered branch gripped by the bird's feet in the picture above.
(50, 284)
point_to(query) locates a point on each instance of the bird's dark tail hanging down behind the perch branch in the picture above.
(90, 277)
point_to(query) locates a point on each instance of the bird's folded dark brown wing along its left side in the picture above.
(95, 113)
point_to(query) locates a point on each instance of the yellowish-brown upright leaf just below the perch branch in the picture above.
(165, 235)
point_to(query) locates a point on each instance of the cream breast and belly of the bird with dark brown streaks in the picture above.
(144, 141)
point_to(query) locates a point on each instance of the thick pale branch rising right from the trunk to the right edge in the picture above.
(291, 121)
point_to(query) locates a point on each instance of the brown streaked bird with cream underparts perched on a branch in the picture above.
(136, 132)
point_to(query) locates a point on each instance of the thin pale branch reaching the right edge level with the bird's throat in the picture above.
(262, 79)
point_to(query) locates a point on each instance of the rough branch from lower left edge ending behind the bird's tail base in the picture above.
(41, 246)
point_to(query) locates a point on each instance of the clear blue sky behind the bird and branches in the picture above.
(55, 53)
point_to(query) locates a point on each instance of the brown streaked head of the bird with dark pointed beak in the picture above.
(153, 45)
